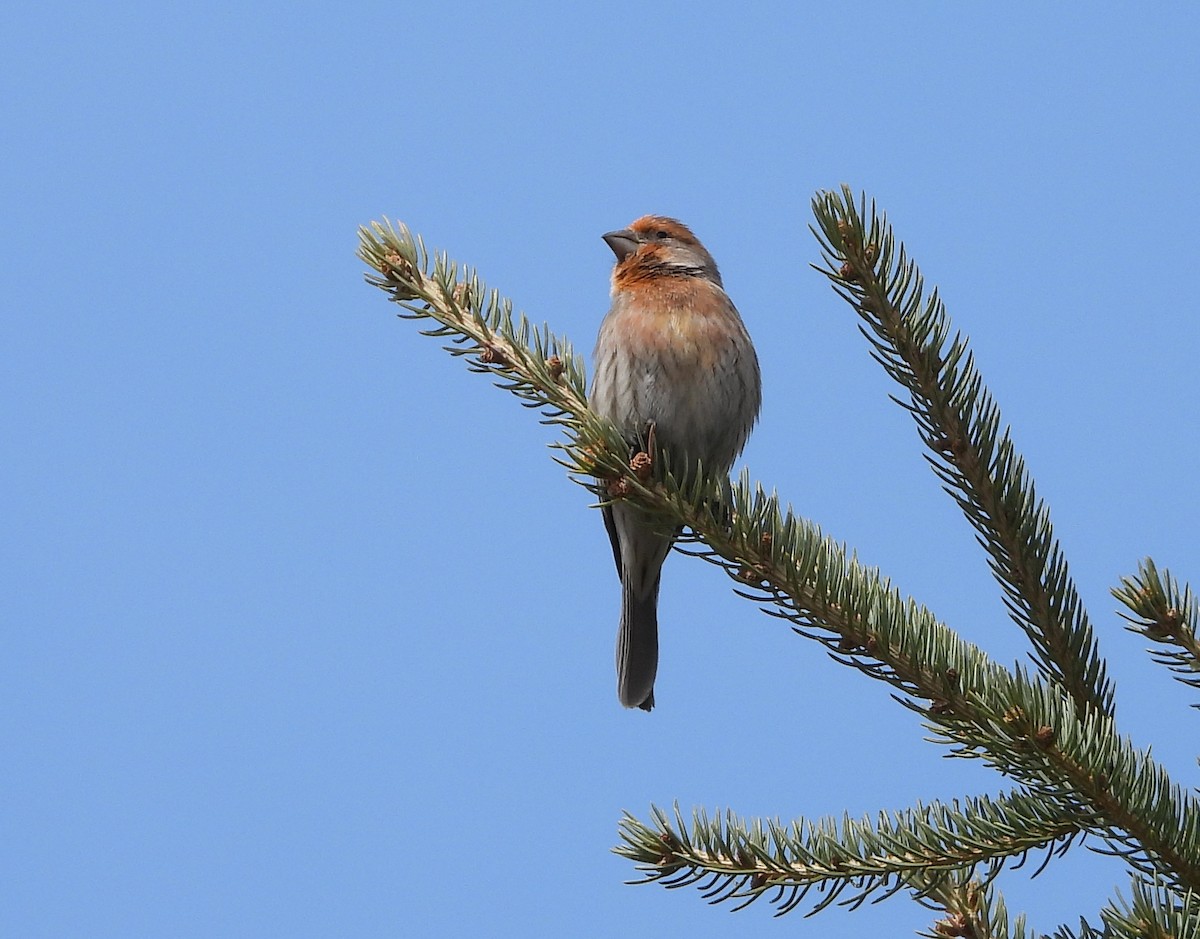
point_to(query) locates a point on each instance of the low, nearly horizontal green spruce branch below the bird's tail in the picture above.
(848, 862)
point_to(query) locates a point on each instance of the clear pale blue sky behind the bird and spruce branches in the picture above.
(307, 635)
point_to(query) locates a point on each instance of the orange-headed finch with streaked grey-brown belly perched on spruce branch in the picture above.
(676, 372)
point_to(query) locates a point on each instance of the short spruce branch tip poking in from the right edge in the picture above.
(1167, 615)
